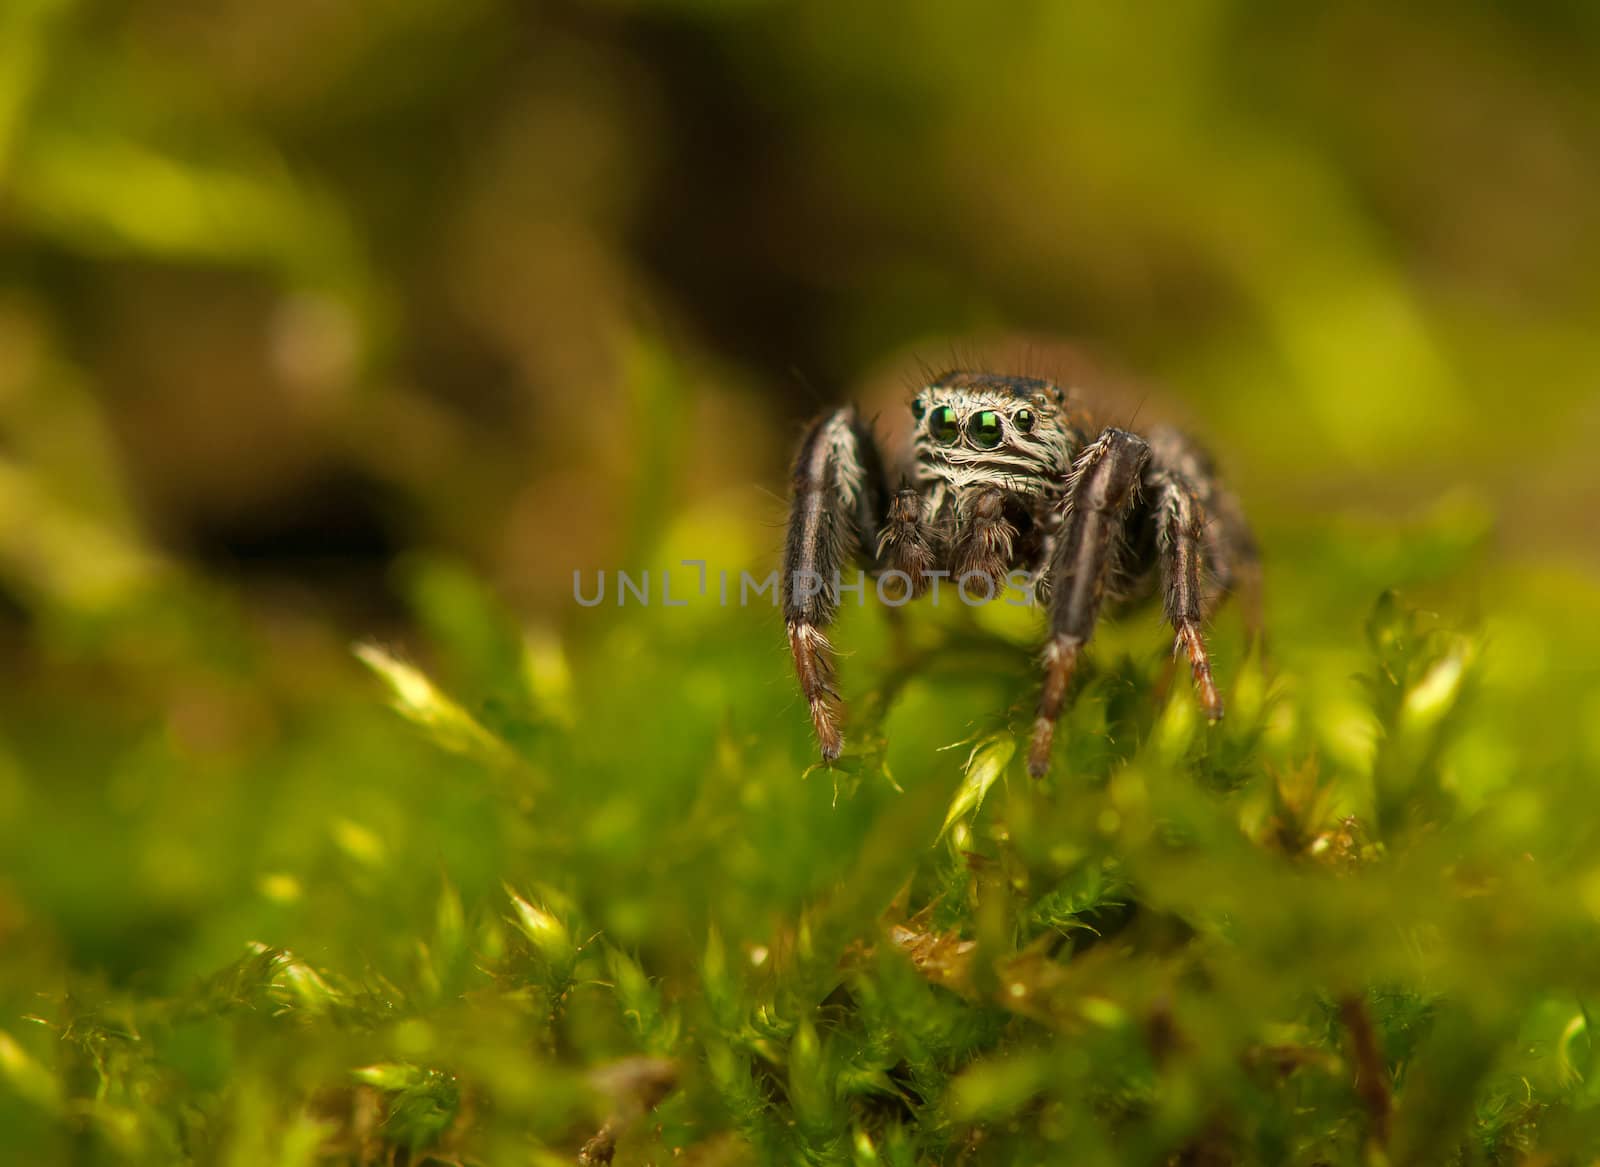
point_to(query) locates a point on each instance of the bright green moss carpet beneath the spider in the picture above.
(590, 891)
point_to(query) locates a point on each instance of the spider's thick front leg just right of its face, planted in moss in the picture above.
(1103, 492)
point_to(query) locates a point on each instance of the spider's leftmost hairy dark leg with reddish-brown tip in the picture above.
(839, 497)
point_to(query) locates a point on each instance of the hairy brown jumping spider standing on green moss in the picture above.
(1012, 475)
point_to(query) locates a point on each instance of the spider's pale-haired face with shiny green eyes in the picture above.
(977, 430)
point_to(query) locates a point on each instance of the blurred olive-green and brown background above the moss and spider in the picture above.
(292, 289)
